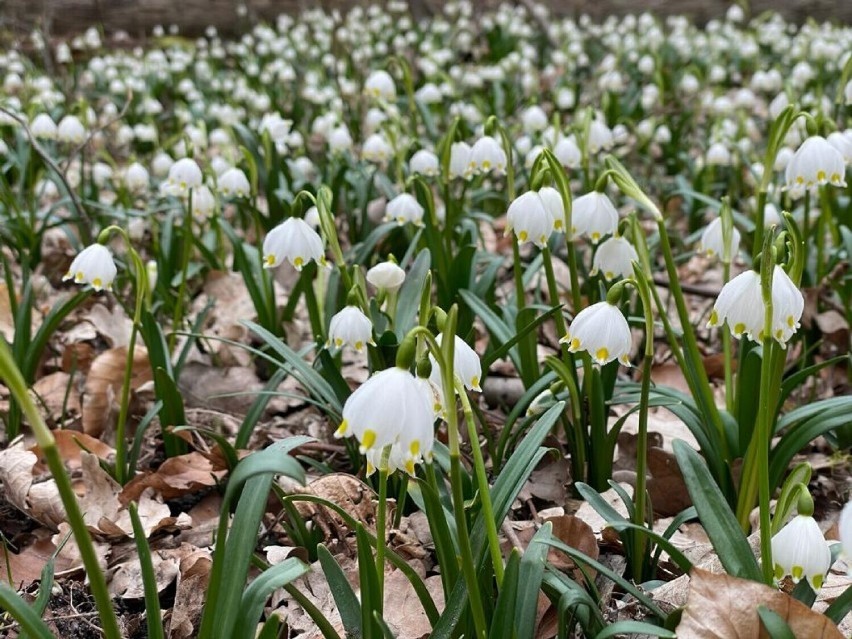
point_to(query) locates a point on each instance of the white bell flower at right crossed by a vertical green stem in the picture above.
(740, 304)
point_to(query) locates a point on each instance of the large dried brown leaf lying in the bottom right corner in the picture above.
(724, 607)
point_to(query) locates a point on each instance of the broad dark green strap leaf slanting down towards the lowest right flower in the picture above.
(720, 523)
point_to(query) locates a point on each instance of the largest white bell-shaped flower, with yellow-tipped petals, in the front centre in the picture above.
(390, 407)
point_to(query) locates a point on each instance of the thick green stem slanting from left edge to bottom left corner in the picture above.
(11, 375)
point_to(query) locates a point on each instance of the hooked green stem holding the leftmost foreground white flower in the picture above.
(141, 273)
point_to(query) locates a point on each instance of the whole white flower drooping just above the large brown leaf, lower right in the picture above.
(800, 550)
